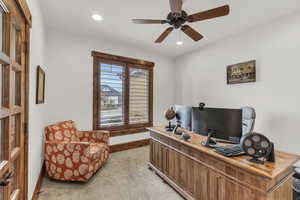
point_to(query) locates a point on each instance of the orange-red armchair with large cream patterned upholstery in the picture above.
(72, 155)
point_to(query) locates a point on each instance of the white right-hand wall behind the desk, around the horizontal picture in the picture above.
(275, 95)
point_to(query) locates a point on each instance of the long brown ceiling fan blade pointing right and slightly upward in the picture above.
(209, 14)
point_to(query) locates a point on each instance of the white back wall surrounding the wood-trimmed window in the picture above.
(70, 79)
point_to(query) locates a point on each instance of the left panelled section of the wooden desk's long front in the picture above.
(185, 172)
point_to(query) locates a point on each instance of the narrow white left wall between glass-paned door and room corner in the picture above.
(36, 112)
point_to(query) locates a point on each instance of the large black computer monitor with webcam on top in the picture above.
(227, 123)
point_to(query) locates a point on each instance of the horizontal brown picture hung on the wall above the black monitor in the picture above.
(244, 72)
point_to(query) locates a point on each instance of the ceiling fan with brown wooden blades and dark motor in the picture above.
(178, 18)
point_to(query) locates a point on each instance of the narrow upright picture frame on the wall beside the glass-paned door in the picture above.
(40, 86)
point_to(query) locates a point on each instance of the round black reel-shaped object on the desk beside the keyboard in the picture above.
(259, 147)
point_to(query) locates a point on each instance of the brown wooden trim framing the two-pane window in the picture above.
(129, 63)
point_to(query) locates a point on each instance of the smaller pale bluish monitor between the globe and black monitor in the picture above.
(183, 116)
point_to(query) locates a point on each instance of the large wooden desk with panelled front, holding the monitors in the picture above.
(197, 172)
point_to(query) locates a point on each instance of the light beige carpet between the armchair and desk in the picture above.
(125, 177)
